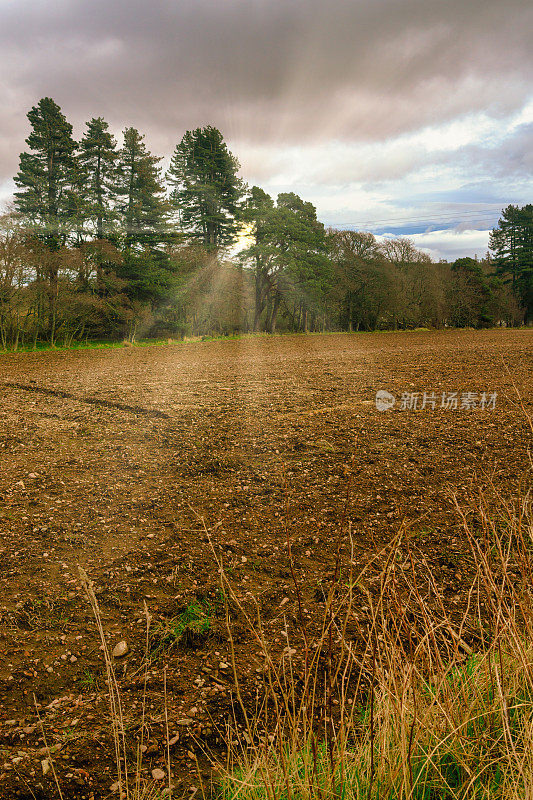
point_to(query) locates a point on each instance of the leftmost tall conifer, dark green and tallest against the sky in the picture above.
(46, 176)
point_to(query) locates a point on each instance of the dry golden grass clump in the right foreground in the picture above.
(421, 714)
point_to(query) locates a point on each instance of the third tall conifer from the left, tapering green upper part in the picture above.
(141, 202)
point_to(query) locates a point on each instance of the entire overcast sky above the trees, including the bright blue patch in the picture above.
(411, 117)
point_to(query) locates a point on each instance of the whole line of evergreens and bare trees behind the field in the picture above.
(100, 244)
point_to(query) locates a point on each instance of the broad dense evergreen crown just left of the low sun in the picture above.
(207, 188)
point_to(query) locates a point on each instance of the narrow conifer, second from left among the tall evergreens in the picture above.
(98, 154)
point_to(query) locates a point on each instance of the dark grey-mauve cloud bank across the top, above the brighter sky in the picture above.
(273, 71)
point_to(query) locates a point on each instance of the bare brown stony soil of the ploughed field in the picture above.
(112, 458)
